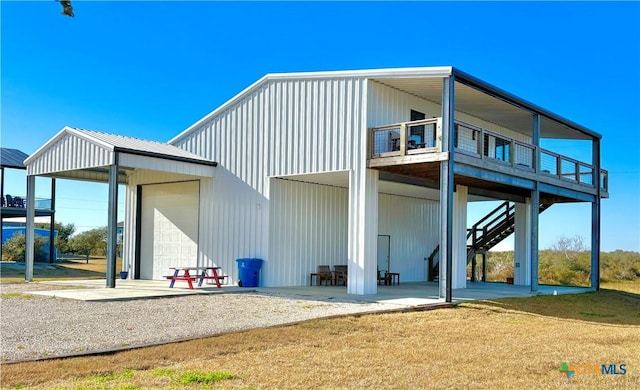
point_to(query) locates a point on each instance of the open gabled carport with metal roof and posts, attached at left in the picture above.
(88, 155)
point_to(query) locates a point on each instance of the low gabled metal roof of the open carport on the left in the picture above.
(119, 143)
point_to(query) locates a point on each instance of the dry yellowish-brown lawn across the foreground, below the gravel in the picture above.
(506, 343)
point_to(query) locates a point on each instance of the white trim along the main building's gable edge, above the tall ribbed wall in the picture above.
(425, 72)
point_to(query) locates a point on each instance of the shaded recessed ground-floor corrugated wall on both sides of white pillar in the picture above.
(309, 227)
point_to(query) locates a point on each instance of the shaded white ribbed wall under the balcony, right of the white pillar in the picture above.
(413, 225)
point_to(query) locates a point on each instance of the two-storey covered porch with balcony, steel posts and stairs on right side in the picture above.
(467, 138)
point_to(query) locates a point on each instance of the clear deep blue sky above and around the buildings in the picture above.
(150, 69)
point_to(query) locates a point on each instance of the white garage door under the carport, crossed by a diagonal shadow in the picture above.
(169, 223)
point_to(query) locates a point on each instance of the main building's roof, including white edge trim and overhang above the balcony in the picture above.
(472, 96)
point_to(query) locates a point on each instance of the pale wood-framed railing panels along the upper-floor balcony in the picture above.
(424, 136)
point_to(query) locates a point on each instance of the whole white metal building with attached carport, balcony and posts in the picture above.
(372, 169)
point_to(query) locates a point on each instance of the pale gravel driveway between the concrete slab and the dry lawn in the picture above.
(34, 326)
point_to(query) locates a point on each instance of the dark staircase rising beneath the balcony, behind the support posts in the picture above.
(484, 234)
